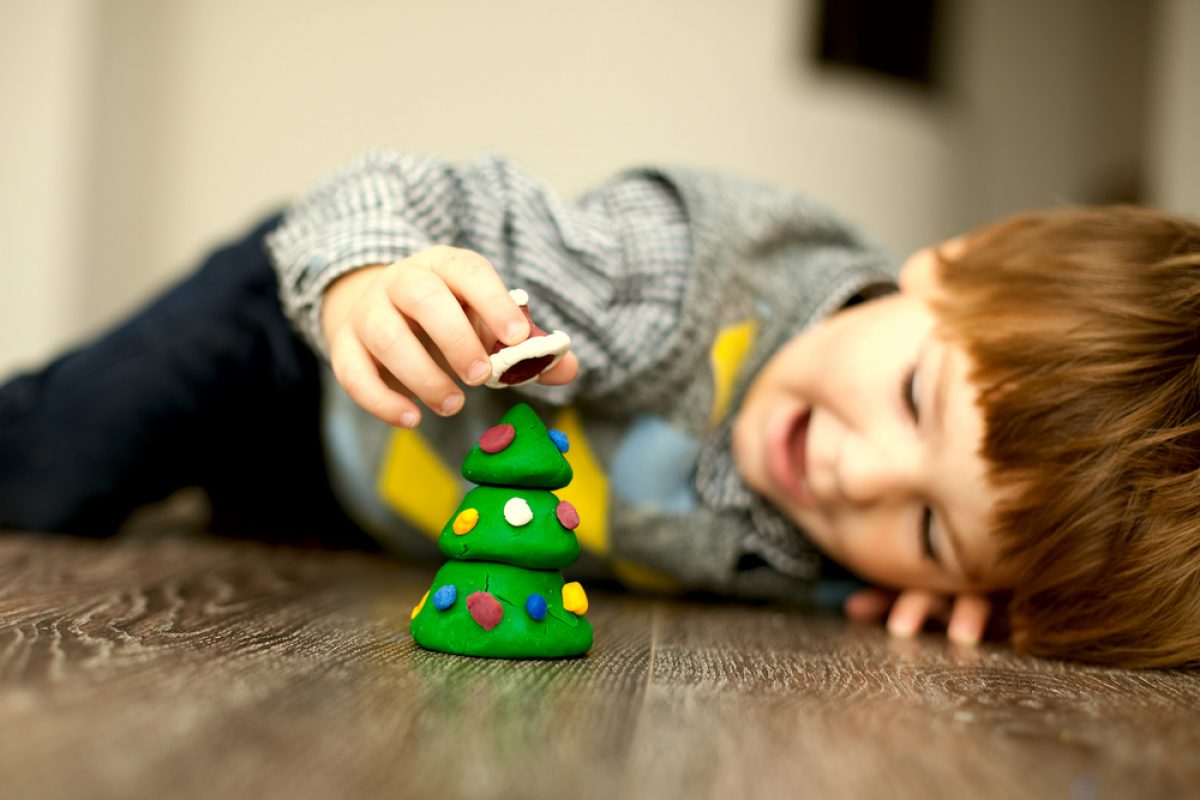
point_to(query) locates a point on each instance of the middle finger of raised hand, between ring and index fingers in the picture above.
(425, 299)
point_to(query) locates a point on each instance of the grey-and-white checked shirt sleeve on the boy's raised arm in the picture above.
(610, 268)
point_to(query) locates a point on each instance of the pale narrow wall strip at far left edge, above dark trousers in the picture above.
(45, 97)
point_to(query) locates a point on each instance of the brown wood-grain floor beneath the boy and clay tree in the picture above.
(202, 667)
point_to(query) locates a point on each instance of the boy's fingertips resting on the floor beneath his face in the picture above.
(908, 611)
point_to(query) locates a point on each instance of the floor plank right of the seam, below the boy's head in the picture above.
(754, 703)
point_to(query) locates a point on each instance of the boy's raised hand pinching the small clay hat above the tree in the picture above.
(404, 332)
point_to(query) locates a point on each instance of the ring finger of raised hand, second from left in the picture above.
(391, 340)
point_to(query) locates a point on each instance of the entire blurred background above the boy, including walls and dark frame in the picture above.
(140, 134)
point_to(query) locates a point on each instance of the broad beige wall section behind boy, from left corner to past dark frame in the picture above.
(225, 107)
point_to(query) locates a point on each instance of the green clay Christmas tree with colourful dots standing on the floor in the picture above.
(503, 593)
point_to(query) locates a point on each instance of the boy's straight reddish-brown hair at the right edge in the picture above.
(1084, 332)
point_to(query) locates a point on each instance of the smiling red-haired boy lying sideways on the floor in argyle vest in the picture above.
(754, 410)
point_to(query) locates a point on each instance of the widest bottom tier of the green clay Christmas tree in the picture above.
(499, 611)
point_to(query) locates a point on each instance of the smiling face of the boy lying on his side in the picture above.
(885, 476)
